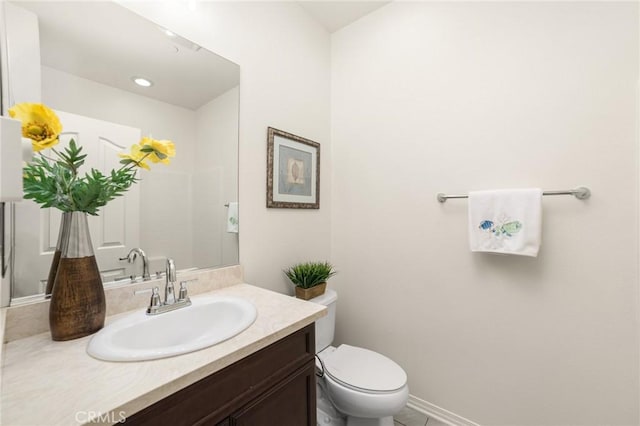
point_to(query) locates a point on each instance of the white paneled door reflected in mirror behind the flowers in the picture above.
(113, 233)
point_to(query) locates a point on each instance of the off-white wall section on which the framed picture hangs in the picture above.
(284, 59)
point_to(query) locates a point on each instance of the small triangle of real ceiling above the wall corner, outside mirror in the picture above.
(334, 15)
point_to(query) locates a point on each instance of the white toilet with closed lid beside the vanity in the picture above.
(358, 387)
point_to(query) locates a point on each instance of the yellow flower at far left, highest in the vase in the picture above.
(39, 123)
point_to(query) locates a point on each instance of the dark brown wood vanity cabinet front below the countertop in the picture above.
(274, 386)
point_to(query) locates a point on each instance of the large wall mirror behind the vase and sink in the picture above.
(90, 51)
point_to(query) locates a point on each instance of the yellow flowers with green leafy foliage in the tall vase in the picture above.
(54, 179)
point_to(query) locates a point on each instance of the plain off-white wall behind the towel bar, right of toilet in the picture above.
(453, 97)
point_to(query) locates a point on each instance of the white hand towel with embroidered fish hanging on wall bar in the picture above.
(507, 221)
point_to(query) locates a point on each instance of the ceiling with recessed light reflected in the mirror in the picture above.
(118, 45)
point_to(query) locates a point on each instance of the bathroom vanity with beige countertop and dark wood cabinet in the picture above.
(264, 373)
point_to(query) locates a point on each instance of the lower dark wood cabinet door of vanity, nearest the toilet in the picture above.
(289, 403)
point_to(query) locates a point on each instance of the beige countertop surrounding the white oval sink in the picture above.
(57, 383)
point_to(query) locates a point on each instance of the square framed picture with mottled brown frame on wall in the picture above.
(293, 171)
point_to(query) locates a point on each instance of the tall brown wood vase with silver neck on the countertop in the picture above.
(78, 306)
